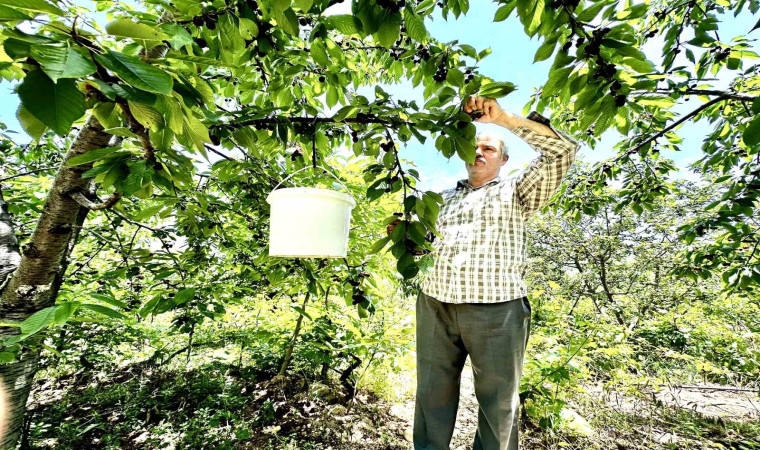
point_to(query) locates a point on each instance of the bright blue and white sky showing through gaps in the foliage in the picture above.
(511, 60)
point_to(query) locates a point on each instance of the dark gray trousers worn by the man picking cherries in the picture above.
(495, 336)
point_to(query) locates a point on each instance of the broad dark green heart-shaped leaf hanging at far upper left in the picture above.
(57, 105)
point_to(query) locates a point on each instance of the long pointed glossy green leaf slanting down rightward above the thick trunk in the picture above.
(137, 73)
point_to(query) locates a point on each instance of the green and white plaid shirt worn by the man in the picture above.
(482, 257)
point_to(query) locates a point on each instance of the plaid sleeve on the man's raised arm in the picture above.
(536, 184)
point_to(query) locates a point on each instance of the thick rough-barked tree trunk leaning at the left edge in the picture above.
(37, 277)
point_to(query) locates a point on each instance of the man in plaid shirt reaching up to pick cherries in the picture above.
(473, 301)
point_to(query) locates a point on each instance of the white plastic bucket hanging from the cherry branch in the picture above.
(309, 222)
